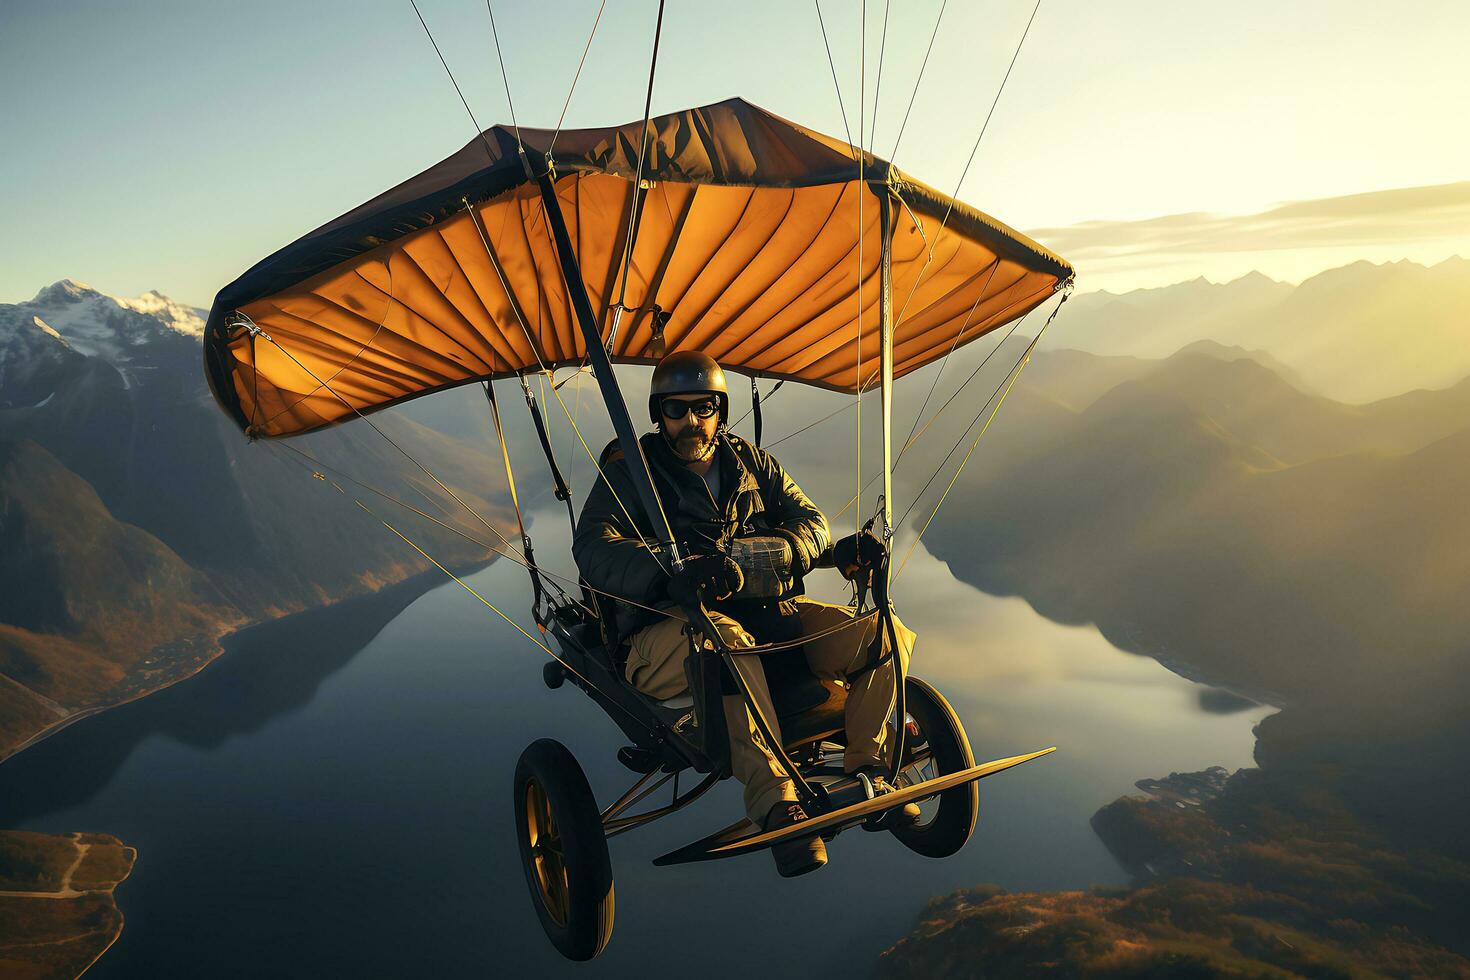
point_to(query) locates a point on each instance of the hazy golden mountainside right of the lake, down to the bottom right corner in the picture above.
(1306, 552)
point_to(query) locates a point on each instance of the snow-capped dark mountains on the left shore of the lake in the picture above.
(139, 525)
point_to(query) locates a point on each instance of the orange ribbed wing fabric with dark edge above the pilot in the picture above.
(747, 237)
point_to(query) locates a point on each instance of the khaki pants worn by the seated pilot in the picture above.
(656, 668)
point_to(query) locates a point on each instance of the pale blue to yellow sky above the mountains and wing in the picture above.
(173, 145)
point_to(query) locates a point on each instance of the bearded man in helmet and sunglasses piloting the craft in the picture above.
(724, 497)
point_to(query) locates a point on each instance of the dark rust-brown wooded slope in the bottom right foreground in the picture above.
(1272, 879)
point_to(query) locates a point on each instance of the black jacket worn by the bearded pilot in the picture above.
(758, 497)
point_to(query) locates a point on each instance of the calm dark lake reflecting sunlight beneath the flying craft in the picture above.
(333, 796)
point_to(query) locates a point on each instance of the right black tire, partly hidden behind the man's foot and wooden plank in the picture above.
(947, 821)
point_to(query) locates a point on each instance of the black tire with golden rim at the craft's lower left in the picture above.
(564, 850)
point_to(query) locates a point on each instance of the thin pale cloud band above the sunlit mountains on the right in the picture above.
(1377, 218)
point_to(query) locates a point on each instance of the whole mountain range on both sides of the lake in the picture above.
(1256, 484)
